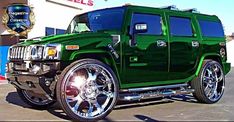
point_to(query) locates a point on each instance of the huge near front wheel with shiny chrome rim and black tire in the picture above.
(87, 90)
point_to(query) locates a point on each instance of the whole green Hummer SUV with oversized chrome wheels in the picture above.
(123, 53)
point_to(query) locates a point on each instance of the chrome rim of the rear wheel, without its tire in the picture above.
(213, 81)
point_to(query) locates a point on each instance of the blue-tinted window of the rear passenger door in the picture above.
(180, 26)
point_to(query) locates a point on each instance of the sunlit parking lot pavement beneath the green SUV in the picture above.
(176, 108)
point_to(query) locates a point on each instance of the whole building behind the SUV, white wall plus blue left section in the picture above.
(51, 17)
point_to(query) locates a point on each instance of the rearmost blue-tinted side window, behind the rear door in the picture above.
(211, 29)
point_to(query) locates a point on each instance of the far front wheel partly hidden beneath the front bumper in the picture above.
(35, 102)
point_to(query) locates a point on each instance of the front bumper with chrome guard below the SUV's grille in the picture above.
(24, 77)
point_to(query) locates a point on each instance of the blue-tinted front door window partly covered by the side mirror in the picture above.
(153, 23)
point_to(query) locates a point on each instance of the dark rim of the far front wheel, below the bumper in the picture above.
(36, 99)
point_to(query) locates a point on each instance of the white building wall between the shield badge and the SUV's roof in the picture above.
(51, 13)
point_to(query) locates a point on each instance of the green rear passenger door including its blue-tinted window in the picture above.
(184, 46)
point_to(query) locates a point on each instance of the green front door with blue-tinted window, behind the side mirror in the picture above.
(146, 62)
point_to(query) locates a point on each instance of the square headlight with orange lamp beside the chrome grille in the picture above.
(52, 51)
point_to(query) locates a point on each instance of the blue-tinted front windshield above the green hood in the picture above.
(108, 19)
